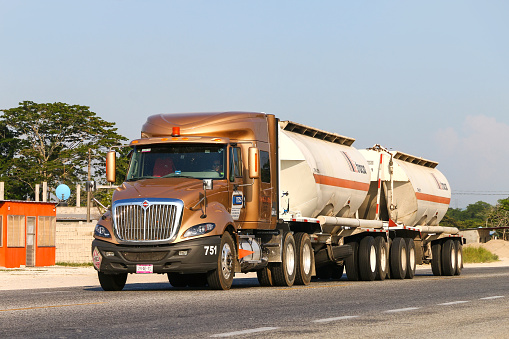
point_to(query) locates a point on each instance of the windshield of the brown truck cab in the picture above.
(200, 161)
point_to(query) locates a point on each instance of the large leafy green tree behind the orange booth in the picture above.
(52, 142)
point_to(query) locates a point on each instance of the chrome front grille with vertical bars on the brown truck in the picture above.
(146, 220)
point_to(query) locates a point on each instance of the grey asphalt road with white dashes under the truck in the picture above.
(473, 305)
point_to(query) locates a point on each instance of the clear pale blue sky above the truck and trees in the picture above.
(429, 78)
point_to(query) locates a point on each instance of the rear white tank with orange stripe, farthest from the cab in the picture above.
(412, 191)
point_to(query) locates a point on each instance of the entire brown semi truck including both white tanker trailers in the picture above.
(208, 195)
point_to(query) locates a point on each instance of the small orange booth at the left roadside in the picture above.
(27, 233)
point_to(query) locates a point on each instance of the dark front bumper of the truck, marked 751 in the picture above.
(201, 256)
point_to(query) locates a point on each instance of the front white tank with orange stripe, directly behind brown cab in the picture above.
(321, 174)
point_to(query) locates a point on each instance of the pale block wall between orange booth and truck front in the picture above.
(74, 241)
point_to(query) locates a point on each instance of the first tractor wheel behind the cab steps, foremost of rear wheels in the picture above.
(283, 273)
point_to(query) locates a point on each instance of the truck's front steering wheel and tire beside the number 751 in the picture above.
(222, 277)
